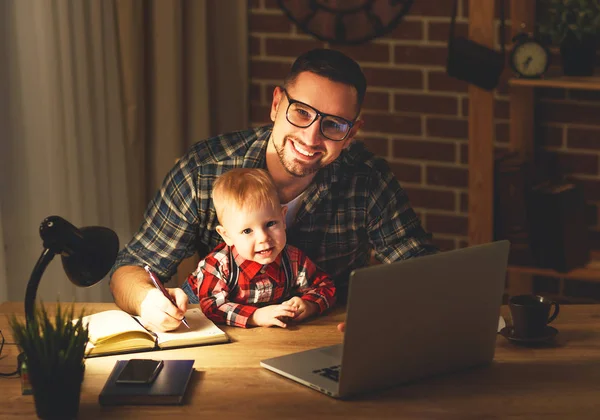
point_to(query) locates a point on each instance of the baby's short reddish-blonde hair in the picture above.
(246, 188)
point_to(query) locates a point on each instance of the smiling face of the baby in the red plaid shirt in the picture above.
(257, 234)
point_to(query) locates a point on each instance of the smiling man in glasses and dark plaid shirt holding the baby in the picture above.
(342, 202)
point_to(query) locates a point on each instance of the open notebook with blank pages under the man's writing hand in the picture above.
(115, 331)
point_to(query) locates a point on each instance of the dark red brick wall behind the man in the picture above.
(416, 116)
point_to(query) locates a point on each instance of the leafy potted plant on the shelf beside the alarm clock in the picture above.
(574, 25)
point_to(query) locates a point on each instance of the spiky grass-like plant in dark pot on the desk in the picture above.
(54, 352)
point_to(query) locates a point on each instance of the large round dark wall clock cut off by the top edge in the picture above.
(346, 21)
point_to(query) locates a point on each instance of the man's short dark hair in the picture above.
(332, 64)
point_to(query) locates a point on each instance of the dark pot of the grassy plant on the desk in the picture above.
(56, 394)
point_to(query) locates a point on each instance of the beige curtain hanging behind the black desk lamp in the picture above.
(99, 99)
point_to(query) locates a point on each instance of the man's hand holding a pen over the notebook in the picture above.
(159, 314)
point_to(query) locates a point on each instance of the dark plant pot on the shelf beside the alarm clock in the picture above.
(578, 56)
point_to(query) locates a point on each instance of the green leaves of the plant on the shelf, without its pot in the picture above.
(559, 19)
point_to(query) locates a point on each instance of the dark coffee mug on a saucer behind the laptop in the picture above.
(531, 314)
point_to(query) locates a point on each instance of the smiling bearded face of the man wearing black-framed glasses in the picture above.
(303, 151)
